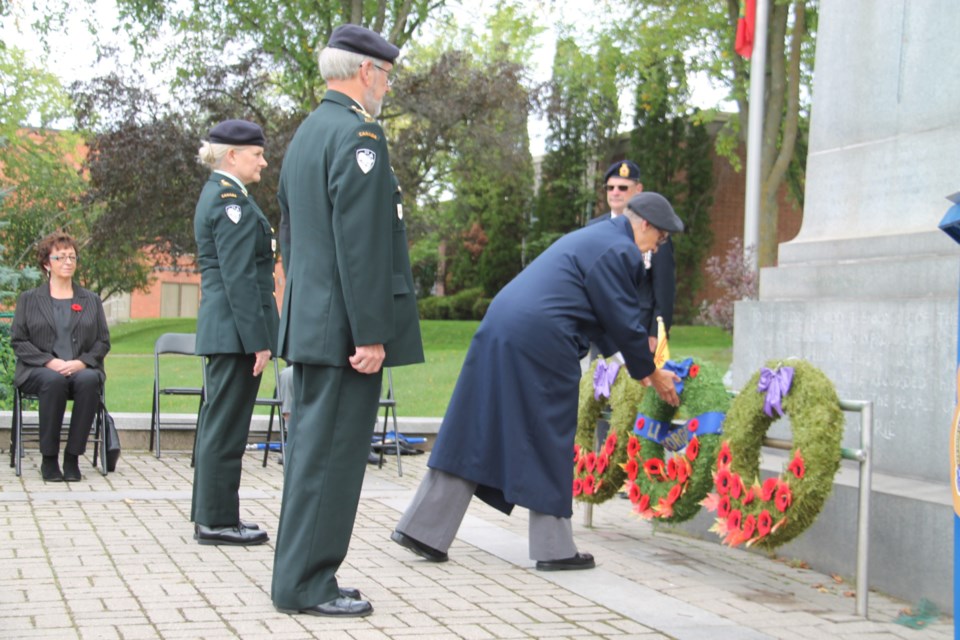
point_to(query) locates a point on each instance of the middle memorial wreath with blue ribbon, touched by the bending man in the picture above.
(668, 487)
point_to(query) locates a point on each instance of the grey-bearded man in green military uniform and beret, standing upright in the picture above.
(349, 309)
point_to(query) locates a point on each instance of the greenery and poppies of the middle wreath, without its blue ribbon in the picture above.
(668, 487)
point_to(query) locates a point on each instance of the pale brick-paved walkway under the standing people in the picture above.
(113, 557)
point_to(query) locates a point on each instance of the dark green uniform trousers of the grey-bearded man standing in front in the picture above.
(335, 410)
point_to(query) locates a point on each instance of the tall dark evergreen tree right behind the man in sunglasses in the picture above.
(672, 147)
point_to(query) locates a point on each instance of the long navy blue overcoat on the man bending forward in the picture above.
(511, 422)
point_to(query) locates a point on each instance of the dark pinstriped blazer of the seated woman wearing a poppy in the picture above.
(34, 331)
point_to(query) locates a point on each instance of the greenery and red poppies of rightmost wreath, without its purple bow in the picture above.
(770, 513)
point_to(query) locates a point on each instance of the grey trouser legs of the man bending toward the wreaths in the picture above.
(441, 501)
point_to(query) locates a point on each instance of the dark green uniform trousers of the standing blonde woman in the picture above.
(222, 432)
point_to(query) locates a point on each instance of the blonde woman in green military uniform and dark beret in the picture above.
(236, 325)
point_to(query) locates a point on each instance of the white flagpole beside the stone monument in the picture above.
(758, 64)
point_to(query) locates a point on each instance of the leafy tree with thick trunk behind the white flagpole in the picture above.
(703, 31)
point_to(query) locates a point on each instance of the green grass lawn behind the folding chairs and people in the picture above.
(421, 390)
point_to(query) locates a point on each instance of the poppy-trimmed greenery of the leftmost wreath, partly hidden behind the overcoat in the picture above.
(598, 475)
